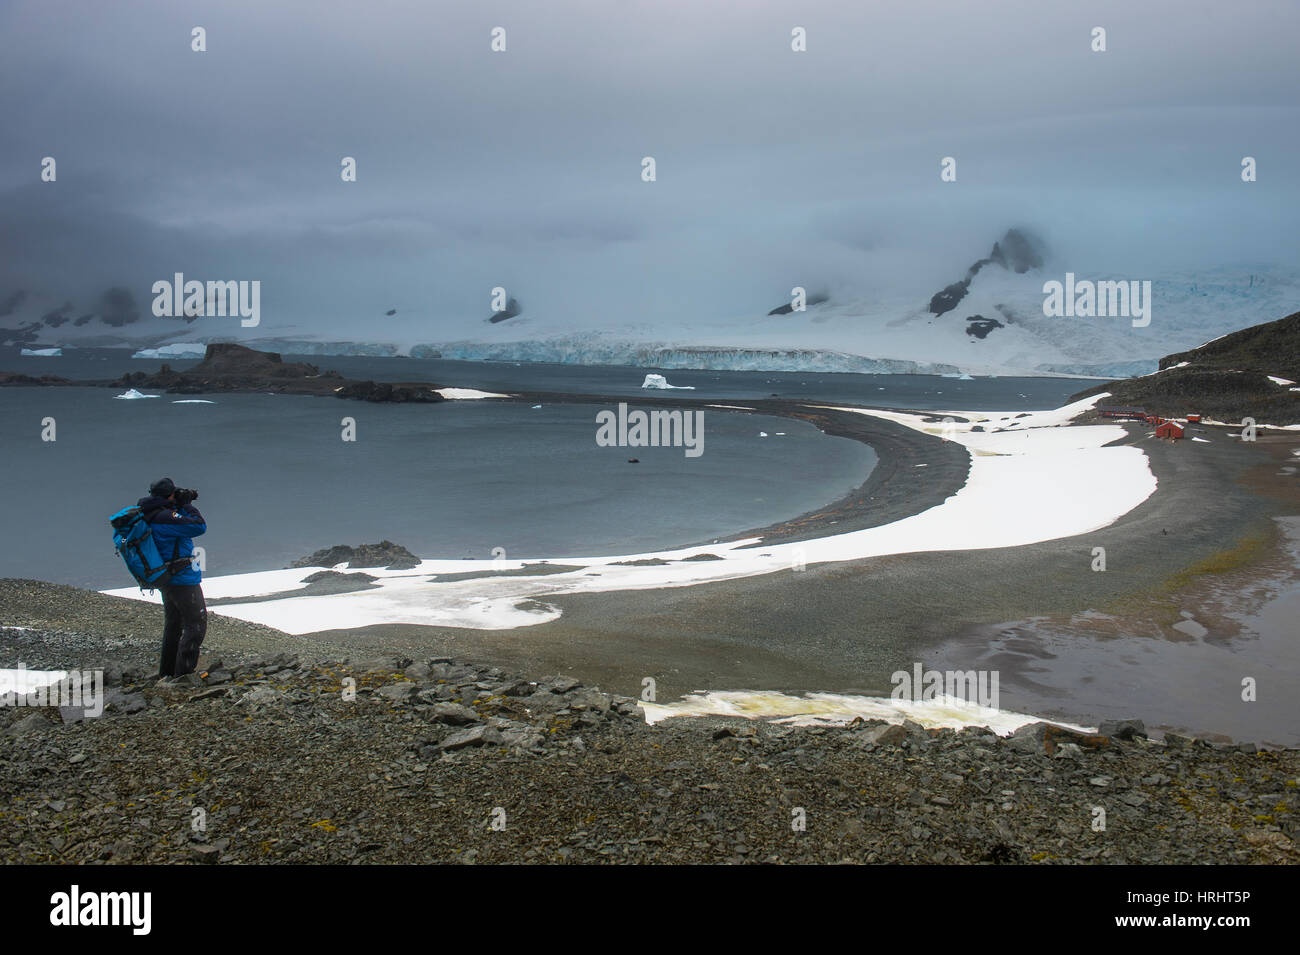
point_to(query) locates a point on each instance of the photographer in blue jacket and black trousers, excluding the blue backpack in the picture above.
(175, 523)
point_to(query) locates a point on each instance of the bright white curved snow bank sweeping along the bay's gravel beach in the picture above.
(1038, 480)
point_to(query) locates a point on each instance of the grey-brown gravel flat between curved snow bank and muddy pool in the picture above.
(843, 628)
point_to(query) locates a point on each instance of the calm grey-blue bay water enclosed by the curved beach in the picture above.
(453, 480)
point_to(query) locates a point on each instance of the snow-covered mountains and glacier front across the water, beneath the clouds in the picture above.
(989, 322)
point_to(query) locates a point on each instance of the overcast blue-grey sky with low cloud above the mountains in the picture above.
(523, 168)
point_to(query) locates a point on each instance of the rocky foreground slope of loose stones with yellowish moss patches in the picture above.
(280, 759)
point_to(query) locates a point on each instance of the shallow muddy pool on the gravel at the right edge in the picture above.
(1189, 680)
